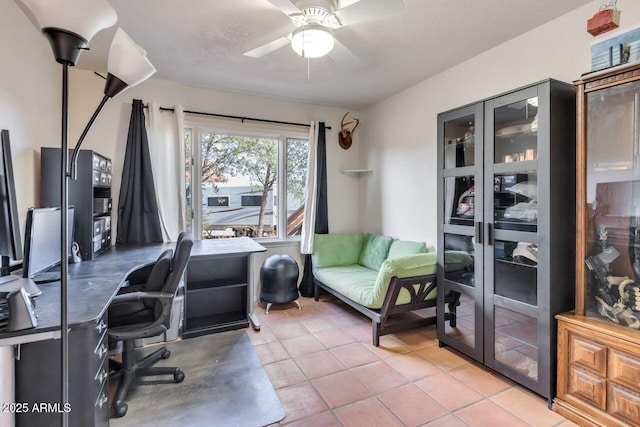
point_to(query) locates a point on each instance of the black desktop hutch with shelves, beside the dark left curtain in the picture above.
(90, 195)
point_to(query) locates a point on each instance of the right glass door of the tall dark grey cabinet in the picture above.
(512, 151)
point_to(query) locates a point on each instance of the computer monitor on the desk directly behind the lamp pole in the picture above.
(42, 241)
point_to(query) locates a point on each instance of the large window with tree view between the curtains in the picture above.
(238, 176)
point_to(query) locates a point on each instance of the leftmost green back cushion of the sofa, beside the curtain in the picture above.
(336, 249)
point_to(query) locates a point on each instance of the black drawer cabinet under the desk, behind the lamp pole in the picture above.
(38, 379)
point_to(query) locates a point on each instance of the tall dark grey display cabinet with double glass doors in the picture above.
(506, 185)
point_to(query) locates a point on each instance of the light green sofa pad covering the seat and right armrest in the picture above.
(368, 287)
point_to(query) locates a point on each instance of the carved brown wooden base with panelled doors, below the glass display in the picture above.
(598, 373)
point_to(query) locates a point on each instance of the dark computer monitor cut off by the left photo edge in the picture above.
(10, 242)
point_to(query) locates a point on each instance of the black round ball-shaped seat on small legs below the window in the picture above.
(279, 281)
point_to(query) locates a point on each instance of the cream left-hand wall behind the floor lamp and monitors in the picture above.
(29, 109)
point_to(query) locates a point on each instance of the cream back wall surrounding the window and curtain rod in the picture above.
(109, 133)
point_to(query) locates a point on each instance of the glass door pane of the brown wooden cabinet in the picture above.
(613, 205)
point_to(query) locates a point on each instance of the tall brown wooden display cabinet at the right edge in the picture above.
(599, 343)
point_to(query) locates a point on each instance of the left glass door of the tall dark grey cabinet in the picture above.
(460, 215)
